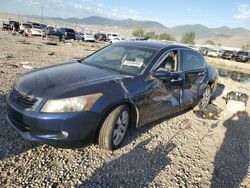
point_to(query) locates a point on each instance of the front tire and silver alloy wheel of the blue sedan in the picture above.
(114, 128)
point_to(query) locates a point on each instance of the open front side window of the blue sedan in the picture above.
(170, 62)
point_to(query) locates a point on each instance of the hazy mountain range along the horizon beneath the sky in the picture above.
(234, 37)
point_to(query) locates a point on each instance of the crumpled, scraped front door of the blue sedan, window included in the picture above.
(162, 96)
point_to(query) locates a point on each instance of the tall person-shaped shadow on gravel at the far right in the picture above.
(232, 160)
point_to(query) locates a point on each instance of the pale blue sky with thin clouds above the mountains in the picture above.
(212, 13)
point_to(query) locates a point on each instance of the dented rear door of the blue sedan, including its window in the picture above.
(194, 77)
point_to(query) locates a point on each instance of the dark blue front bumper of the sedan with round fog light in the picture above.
(60, 130)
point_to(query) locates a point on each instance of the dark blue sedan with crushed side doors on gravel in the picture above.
(95, 100)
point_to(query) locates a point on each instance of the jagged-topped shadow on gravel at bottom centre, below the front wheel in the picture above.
(142, 166)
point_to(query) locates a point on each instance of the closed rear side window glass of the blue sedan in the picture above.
(191, 60)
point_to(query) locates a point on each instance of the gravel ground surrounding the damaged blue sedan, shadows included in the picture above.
(184, 150)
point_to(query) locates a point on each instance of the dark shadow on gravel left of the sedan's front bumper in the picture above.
(11, 143)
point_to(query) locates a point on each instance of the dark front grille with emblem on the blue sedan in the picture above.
(22, 99)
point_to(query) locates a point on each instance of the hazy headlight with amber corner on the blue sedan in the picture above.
(74, 104)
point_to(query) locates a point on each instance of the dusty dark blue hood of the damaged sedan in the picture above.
(46, 81)
